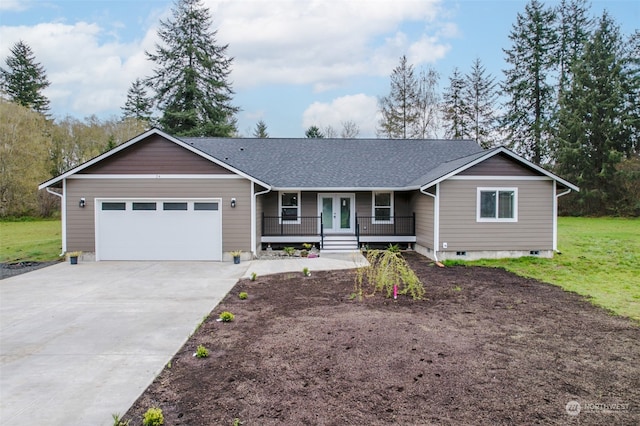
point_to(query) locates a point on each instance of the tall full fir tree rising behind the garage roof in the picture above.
(190, 77)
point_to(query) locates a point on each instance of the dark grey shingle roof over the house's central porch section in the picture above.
(340, 163)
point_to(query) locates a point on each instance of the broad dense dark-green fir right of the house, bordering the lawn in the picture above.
(593, 131)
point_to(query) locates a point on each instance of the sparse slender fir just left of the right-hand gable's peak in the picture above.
(480, 98)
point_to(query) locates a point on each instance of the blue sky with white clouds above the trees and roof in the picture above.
(297, 62)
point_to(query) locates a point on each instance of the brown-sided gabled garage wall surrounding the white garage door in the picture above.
(155, 168)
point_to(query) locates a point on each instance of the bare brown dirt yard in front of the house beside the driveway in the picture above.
(484, 347)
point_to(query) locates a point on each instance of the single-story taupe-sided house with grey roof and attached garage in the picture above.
(159, 197)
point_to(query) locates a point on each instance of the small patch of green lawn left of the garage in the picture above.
(35, 240)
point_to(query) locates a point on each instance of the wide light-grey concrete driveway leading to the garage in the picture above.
(79, 343)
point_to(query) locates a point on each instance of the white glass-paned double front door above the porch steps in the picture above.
(337, 213)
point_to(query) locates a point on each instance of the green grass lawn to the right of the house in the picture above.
(600, 259)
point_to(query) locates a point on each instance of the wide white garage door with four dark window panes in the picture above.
(158, 229)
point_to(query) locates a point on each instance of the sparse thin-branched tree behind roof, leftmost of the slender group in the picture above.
(398, 108)
